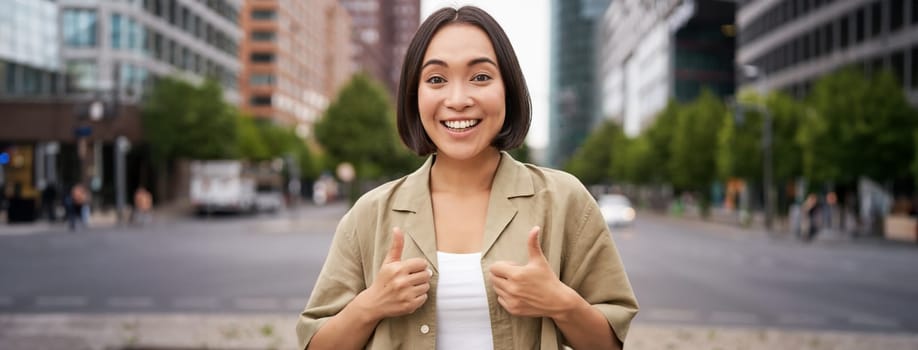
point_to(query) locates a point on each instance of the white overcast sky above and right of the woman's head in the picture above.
(527, 24)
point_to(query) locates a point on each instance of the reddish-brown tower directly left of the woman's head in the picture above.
(382, 30)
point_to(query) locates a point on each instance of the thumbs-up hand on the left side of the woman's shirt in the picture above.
(400, 287)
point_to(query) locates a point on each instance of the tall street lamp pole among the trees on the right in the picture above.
(753, 72)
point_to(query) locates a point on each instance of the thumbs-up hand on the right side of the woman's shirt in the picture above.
(532, 289)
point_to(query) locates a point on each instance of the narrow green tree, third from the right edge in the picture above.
(693, 165)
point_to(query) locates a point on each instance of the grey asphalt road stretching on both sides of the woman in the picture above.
(684, 272)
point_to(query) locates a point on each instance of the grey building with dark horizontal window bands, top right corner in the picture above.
(795, 42)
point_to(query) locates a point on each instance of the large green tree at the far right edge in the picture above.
(857, 126)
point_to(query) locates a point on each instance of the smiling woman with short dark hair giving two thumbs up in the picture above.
(466, 252)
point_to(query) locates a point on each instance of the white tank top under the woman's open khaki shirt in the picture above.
(463, 318)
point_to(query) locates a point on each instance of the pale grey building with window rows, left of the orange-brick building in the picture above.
(122, 44)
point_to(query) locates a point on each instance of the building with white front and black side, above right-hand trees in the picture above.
(654, 52)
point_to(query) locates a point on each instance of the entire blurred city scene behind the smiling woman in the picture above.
(172, 171)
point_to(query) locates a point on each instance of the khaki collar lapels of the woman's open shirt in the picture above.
(510, 181)
